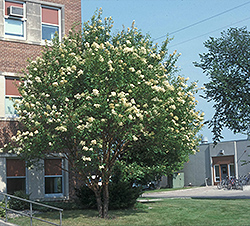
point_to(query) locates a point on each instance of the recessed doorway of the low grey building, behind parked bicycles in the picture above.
(223, 167)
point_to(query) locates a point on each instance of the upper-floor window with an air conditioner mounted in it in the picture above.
(14, 19)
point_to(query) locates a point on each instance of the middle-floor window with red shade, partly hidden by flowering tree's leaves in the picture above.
(11, 94)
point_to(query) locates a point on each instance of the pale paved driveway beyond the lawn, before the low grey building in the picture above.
(201, 192)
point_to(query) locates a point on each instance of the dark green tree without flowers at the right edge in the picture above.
(227, 64)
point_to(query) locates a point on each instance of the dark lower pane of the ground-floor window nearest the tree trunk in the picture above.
(53, 185)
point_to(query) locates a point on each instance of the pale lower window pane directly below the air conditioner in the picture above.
(14, 27)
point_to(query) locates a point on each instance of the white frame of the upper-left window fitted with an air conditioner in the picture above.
(22, 19)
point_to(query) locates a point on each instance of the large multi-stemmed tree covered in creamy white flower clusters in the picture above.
(100, 98)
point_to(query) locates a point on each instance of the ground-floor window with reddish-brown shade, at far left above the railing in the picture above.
(16, 175)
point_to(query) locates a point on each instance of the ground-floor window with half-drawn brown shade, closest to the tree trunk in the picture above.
(53, 176)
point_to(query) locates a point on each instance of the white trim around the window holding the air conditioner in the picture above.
(24, 19)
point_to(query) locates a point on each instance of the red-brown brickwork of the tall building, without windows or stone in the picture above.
(13, 58)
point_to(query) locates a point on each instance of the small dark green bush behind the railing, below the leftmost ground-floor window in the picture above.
(17, 204)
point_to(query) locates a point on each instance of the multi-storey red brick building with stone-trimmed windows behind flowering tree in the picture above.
(24, 27)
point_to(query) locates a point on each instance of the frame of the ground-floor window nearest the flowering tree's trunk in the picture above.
(50, 195)
